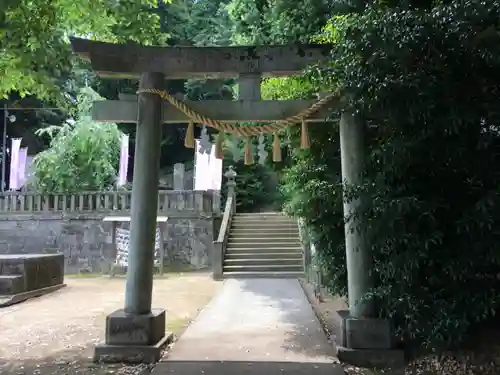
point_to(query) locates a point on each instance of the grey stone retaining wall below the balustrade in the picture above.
(86, 240)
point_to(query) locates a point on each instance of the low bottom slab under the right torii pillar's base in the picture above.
(393, 359)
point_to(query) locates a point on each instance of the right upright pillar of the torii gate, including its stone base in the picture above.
(363, 339)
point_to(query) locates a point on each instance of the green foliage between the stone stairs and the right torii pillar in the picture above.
(312, 189)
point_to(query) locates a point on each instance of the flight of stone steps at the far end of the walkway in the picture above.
(263, 245)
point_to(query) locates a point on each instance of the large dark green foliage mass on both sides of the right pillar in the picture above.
(427, 81)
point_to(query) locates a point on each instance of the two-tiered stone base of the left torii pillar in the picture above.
(133, 338)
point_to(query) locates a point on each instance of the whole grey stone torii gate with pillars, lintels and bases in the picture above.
(137, 332)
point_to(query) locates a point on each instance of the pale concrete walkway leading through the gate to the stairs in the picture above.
(252, 326)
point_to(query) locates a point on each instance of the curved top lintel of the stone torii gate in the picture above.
(130, 60)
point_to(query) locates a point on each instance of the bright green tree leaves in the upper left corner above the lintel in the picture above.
(36, 54)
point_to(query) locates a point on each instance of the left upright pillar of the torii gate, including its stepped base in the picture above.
(137, 332)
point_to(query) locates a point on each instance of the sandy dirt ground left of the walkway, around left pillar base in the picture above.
(55, 334)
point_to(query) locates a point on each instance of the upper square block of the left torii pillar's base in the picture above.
(139, 330)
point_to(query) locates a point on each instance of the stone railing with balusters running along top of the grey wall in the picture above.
(107, 201)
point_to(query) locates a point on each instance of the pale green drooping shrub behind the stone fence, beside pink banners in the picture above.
(83, 156)
